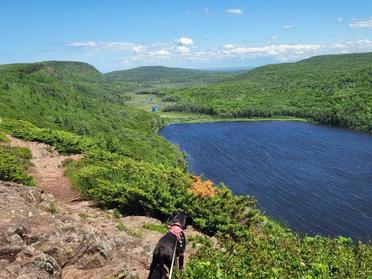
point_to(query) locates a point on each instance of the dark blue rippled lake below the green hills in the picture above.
(316, 179)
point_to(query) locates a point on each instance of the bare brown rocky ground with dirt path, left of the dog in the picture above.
(43, 234)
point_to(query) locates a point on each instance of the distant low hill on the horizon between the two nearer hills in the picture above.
(165, 75)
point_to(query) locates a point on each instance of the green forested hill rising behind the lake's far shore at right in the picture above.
(333, 90)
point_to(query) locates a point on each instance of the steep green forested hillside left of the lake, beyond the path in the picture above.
(75, 97)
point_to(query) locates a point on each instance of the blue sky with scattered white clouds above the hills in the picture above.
(122, 34)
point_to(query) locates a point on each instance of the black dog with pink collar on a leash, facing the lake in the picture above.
(170, 247)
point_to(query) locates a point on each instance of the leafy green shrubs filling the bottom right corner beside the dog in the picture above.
(274, 252)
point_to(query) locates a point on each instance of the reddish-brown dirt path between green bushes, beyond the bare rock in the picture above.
(48, 171)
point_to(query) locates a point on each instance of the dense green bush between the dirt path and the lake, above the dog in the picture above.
(141, 188)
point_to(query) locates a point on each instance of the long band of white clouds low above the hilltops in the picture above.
(184, 49)
